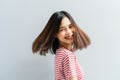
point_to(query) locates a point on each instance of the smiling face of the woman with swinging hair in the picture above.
(65, 33)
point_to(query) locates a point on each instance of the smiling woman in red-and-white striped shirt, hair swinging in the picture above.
(62, 37)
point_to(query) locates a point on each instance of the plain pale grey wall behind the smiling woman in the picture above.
(21, 21)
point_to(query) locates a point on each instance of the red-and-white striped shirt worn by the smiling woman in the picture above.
(66, 65)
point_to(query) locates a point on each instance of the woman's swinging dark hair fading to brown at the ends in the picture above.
(46, 41)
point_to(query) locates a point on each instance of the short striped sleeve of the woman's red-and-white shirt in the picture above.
(69, 67)
